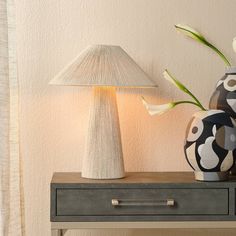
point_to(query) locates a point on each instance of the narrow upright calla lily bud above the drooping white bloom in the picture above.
(179, 85)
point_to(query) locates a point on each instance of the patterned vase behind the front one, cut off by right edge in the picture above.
(224, 96)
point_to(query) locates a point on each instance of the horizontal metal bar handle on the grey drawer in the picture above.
(134, 202)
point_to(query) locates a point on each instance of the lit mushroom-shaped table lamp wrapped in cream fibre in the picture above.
(103, 67)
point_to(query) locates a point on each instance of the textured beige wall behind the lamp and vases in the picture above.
(54, 119)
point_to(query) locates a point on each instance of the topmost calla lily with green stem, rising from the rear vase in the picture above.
(192, 33)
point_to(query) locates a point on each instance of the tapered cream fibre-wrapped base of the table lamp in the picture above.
(103, 154)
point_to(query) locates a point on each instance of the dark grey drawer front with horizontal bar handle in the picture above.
(122, 202)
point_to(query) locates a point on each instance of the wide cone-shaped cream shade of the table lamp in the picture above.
(103, 65)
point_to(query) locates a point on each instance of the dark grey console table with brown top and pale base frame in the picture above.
(141, 200)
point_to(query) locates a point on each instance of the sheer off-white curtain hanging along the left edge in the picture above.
(11, 215)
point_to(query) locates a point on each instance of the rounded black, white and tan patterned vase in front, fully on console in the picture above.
(210, 144)
